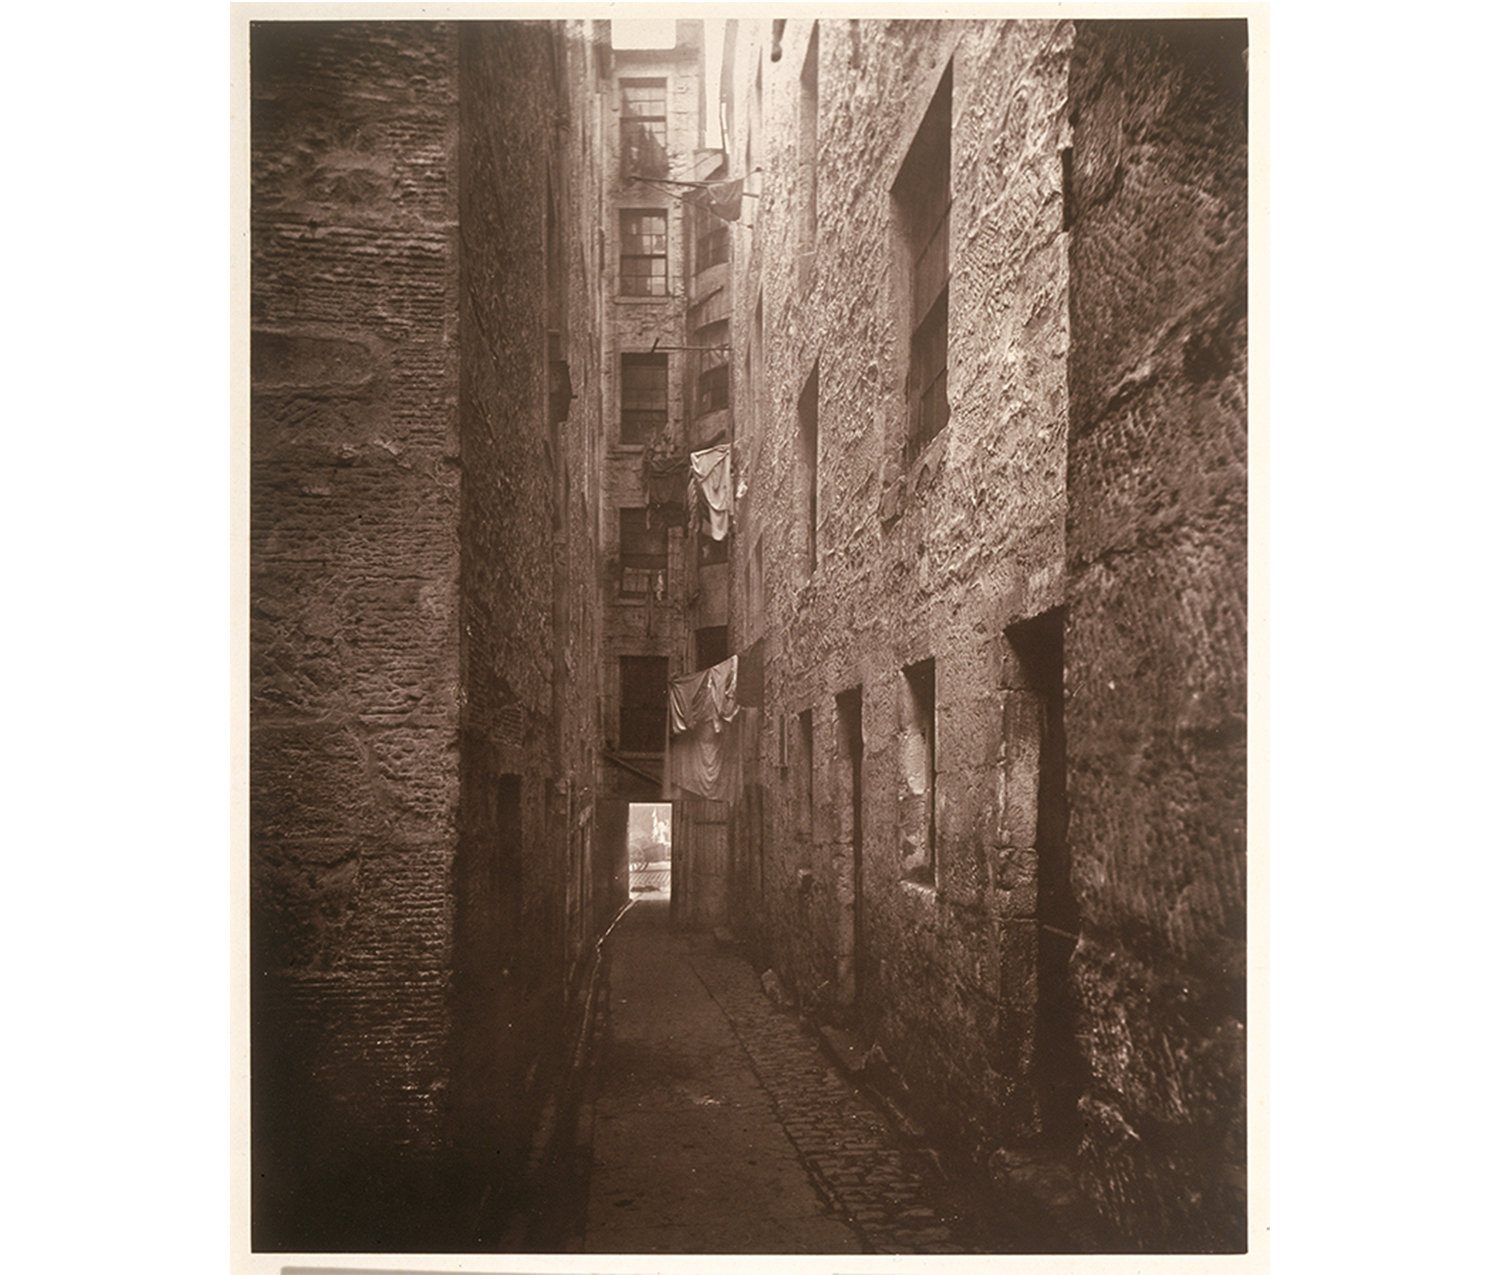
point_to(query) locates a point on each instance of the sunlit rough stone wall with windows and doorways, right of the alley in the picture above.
(923, 560)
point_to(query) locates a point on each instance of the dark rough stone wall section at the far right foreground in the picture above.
(1157, 596)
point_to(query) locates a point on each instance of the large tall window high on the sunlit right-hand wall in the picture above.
(923, 197)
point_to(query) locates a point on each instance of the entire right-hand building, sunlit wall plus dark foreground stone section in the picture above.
(992, 518)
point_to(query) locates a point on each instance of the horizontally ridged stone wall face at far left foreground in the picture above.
(355, 590)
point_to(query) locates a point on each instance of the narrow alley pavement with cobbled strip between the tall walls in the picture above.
(721, 1126)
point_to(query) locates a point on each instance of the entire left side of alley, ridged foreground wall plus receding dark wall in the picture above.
(424, 667)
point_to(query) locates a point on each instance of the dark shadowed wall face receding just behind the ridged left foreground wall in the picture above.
(511, 956)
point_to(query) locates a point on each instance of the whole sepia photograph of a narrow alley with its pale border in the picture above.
(751, 614)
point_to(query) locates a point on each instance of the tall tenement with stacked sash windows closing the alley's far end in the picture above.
(664, 332)
